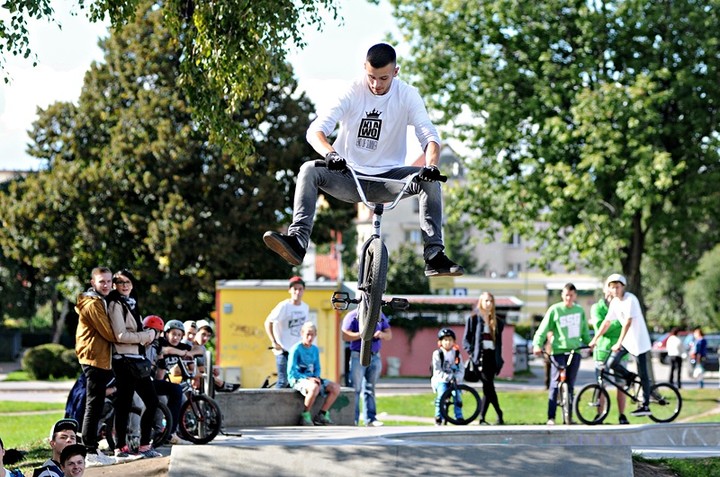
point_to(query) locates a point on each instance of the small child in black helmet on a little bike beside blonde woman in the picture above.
(446, 366)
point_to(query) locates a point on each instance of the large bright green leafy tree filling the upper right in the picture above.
(597, 121)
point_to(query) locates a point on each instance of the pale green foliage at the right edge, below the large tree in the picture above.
(702, 292)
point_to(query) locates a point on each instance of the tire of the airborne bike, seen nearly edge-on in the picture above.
(375, 278)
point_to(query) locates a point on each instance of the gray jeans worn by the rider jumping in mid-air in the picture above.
(341, 186)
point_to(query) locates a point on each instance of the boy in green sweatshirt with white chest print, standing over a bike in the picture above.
(570, 331)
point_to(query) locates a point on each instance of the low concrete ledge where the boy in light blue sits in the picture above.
(278, 407)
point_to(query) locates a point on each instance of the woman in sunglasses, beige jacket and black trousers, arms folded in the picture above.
(130, 365)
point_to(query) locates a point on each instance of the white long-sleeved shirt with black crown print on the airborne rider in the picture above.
(373, 129)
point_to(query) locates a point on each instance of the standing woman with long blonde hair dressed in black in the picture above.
(483, 343)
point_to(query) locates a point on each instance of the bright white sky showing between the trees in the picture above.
(332, 58)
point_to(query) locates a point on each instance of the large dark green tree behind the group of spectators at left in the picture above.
(135, 182)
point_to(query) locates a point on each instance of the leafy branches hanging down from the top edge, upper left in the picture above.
(227, 51)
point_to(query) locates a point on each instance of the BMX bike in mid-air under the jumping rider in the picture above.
(372, 270)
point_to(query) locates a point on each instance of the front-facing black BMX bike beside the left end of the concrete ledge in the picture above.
(200, 416)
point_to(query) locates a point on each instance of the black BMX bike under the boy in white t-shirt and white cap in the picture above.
(593, 401)
